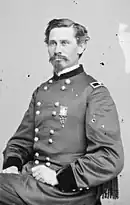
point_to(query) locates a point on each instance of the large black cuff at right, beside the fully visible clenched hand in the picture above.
(66, 179)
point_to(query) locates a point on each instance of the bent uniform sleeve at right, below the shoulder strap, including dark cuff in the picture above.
(104, 157)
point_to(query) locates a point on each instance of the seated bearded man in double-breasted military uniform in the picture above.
(67, 149)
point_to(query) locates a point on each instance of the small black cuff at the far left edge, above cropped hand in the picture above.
(13, 161)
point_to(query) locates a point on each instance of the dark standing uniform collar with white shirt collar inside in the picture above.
(70, 72)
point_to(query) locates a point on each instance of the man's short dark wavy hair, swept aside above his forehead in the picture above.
(81, 33)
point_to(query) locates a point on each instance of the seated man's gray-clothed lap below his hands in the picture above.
(24, 189)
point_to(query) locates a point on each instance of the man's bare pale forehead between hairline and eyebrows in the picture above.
(62, 33)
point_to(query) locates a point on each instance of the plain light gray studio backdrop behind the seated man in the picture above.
(24, 59)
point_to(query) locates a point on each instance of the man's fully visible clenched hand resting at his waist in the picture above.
(45, 174)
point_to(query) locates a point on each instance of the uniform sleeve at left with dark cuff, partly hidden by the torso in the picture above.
(19, 148)
